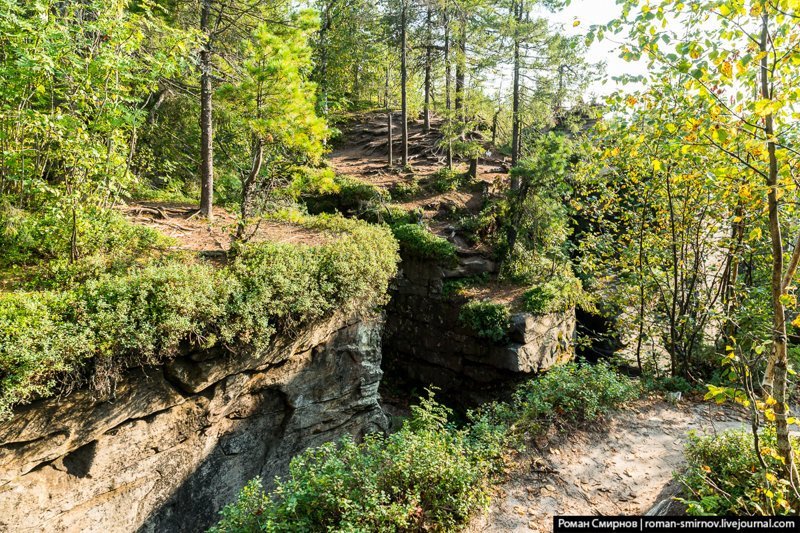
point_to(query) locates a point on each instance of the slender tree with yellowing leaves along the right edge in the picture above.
(738, 63)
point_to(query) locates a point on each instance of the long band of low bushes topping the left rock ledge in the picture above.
(51, 340)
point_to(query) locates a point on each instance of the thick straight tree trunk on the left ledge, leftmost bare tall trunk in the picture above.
(206, 129)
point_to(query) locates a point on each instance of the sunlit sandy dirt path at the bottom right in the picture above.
(625, 467)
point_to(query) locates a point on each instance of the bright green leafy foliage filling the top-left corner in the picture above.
(74, 75)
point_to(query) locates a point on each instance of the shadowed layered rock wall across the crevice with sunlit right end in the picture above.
(425, 341)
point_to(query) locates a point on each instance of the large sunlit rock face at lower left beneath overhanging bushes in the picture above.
(178, 442)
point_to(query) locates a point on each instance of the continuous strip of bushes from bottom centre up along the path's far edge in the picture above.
(430, 475)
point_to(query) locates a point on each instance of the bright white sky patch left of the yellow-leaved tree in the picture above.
(590, 12)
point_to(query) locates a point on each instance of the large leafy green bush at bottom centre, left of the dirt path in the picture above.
(427, 476)
